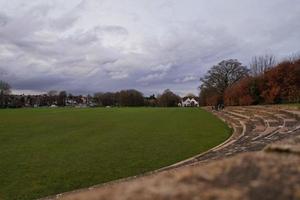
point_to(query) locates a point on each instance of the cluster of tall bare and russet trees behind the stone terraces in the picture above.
(264, 82)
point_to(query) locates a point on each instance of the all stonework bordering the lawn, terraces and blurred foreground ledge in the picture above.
(261, 161)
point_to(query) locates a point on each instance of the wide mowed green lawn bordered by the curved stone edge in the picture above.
(49, 151)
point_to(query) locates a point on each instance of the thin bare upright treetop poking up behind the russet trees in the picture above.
(260, 64)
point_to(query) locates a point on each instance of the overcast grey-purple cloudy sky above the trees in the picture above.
(86, 46)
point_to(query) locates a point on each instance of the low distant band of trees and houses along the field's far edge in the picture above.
(123, 98)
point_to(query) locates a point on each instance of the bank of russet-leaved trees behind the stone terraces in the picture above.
(280, 84)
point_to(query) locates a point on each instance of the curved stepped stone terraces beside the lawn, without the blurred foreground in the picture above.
(257, 127)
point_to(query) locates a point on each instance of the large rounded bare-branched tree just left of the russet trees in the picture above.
(219, 78)
